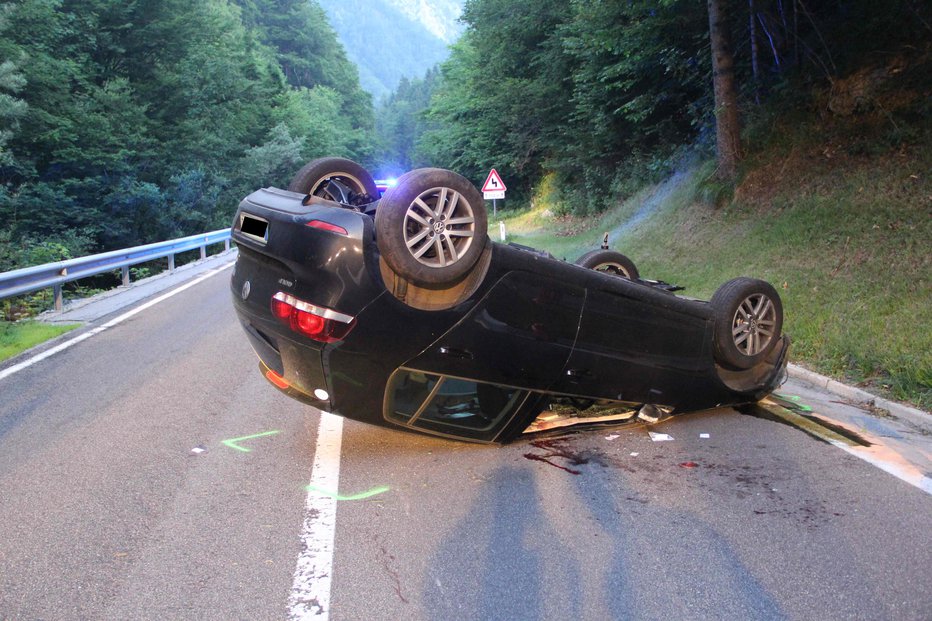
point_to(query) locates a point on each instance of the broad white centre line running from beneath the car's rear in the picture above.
(310, 591)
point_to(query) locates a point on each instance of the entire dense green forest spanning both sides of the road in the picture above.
(127, 122)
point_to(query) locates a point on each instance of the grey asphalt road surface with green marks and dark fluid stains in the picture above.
(109, 512)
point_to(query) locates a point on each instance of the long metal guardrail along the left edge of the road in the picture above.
(30, 279)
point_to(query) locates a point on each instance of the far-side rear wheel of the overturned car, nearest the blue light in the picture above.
(336, 179)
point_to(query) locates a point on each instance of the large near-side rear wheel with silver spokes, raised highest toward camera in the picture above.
(431, 227)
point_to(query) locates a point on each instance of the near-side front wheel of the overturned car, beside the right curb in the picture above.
(748, 320)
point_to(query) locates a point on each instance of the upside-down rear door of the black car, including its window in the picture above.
(488, 370)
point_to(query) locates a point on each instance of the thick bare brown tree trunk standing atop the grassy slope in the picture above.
(727, 123)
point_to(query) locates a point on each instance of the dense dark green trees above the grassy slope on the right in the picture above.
(603, 93)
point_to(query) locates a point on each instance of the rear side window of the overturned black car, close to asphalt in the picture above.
(456, 407)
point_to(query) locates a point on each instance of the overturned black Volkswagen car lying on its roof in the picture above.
(400, 311)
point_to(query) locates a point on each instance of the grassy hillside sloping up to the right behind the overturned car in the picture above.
(835, 214)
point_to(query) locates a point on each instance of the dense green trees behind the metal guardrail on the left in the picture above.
(130, 122)
